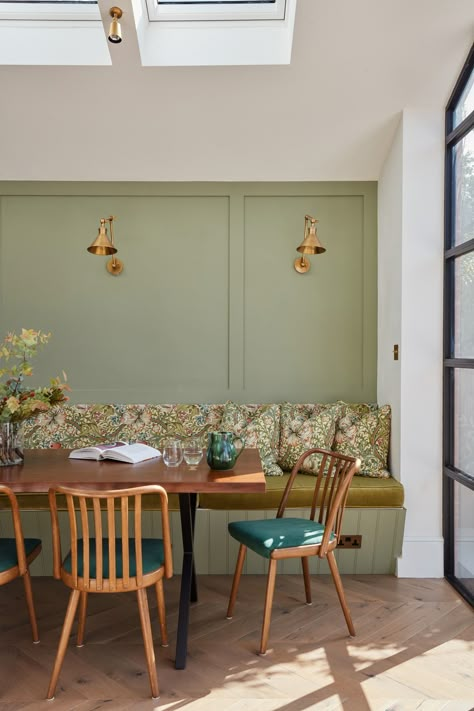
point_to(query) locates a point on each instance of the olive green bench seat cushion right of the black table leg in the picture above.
(364, 492)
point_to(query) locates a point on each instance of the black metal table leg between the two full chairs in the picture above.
(187, 507)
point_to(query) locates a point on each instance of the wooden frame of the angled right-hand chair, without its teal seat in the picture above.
(329, 499)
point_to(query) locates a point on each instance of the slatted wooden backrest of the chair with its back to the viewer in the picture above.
(118, 541)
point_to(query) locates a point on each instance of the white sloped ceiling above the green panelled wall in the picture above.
(330, 115)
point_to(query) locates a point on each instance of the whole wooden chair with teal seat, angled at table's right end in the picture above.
(281, 537)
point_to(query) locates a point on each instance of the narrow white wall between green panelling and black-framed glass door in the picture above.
(411, 307)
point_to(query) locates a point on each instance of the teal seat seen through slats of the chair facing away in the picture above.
(153, 557)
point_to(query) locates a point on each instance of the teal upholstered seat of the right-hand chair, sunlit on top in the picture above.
(266, 535)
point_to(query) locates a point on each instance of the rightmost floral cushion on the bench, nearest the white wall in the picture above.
(364, 431)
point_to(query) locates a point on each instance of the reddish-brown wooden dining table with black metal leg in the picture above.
(43, 468)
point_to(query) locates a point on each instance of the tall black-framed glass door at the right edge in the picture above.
(458, 471)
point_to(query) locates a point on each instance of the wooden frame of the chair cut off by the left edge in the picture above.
(22, 568)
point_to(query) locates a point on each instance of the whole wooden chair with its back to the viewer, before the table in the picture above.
(110, 563)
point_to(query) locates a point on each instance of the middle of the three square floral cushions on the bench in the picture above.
(303, 427)
